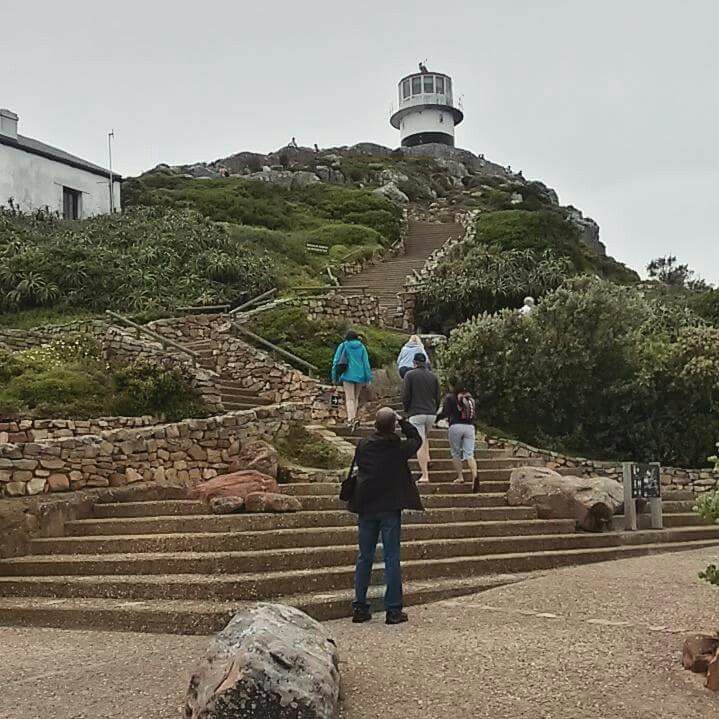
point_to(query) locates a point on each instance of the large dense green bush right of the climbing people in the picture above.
(596, 370)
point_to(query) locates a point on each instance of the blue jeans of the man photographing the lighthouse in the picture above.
(369, 528)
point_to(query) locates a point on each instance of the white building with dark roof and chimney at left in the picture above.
(36, 175)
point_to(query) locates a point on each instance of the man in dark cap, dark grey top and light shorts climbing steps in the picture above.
(421, 399)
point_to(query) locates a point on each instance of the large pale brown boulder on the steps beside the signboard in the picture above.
(591, 501)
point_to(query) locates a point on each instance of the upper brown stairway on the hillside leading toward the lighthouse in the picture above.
(386, 279)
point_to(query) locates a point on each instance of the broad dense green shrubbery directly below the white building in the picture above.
(143, 260)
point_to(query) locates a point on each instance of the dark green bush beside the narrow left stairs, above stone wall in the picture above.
(141, 389)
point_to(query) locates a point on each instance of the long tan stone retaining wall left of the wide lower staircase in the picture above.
(186, 452)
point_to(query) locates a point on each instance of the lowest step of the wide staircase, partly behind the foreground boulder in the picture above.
(208, 617)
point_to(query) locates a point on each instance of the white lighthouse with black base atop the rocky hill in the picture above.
(426, 109)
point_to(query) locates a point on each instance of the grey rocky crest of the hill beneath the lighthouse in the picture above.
(437, 179)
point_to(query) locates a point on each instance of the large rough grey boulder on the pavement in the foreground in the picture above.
(269, 661)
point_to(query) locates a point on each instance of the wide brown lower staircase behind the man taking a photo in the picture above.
(169, 566)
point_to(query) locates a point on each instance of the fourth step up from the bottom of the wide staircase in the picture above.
(287, 538)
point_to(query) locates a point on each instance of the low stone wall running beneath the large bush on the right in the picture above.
(673, 478)
